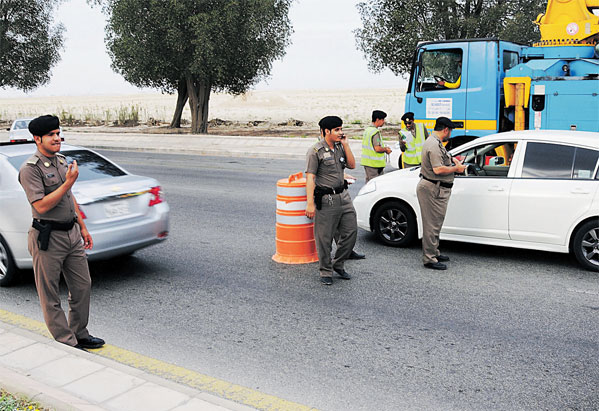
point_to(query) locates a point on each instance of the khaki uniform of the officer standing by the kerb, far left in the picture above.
(39, 176)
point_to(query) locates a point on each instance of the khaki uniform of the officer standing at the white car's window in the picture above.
(432, 197)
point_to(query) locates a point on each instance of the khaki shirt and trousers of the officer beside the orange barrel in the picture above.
(337, 212)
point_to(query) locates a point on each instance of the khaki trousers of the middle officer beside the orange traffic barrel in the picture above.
(336, 215)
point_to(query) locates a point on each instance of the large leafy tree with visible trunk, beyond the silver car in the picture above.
(195, 47)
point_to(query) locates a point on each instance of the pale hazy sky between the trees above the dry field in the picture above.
(322, 55)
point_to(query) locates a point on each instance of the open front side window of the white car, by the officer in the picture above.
(489, 160)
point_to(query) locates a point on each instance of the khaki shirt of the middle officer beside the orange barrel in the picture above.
(326, 164)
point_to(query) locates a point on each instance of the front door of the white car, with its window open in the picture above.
(478, 206)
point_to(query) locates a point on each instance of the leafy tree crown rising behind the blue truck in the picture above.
(393, 28)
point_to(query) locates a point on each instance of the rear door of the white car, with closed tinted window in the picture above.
(556, 186)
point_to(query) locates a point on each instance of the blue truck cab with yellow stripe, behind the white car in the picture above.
(462, 80)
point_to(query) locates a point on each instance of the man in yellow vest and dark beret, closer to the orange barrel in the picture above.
(373, 151)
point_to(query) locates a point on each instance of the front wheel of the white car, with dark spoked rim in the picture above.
(394, 224)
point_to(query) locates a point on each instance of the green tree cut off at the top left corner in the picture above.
(29, 44)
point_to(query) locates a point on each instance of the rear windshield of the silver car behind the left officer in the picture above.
(91, 166)
